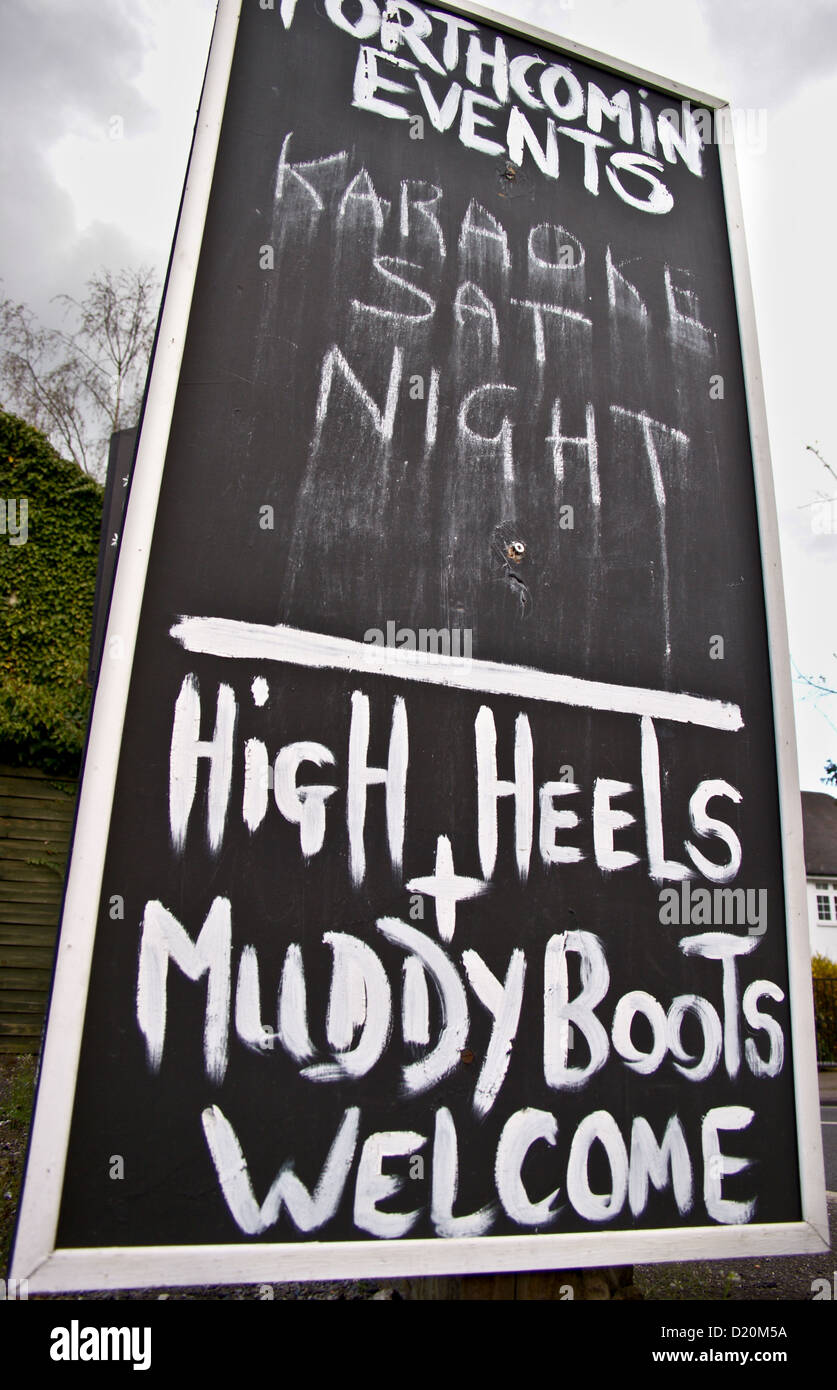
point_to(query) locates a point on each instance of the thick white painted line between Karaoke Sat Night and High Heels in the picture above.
(259, 643)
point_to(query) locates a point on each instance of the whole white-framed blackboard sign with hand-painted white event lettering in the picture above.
(430, 899)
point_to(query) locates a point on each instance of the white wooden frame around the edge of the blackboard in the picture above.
(35, 1256)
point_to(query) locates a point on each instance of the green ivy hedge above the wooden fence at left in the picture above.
(47, 603)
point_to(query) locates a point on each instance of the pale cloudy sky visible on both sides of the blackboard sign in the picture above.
(98, 99)
